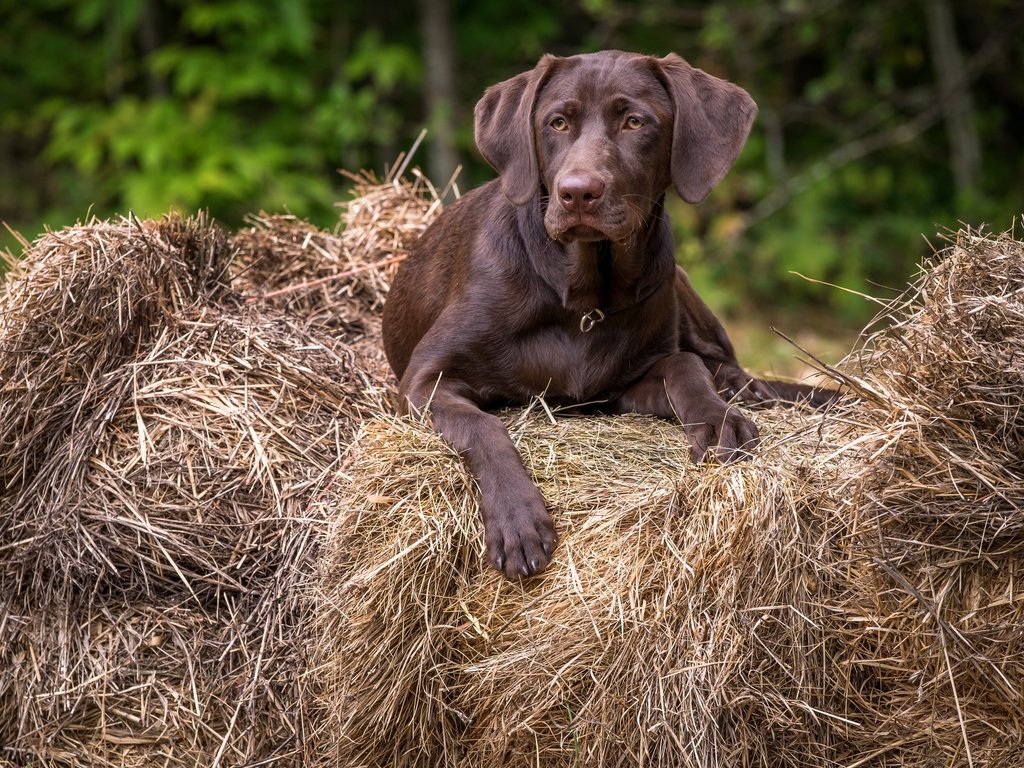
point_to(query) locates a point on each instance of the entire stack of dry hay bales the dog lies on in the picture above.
(217, 549)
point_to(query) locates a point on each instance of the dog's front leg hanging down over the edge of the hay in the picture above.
(519, 530)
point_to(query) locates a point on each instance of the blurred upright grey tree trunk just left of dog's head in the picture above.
(439, 57)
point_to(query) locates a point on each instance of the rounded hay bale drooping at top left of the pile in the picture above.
(79, 306)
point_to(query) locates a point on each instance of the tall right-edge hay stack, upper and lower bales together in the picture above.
(926, 641)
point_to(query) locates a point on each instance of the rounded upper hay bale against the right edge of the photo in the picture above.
(943, 386)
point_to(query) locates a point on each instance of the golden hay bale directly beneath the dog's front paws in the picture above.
(629, 648)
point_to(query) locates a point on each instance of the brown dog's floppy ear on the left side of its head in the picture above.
(504, 132)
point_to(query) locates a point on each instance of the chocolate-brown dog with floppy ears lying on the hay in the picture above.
(560, 278)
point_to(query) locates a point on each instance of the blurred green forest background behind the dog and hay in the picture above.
(881, 123)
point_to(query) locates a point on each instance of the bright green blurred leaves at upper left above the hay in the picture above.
(234, 106)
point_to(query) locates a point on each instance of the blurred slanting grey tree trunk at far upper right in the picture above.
(965, 149)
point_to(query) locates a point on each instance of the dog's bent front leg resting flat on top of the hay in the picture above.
(679, 387)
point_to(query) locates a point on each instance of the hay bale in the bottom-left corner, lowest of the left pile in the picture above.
(146, 684)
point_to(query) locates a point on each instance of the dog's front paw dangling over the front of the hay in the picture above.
(520, 534)
